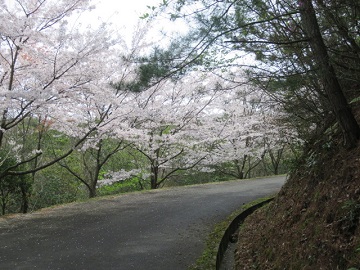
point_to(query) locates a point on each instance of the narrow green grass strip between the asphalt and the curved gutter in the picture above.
(208, 258)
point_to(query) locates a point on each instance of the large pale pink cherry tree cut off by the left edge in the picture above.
(49, 72)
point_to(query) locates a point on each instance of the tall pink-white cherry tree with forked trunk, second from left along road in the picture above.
(114, 104)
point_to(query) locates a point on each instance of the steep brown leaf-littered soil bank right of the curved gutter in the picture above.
(314, 223)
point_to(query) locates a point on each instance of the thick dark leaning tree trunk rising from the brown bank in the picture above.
(338, 102)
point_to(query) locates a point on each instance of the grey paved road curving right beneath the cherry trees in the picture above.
(162, 229)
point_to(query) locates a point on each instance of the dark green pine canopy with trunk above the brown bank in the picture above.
(303, 53)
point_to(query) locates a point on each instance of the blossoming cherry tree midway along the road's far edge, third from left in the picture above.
(166, 125)
